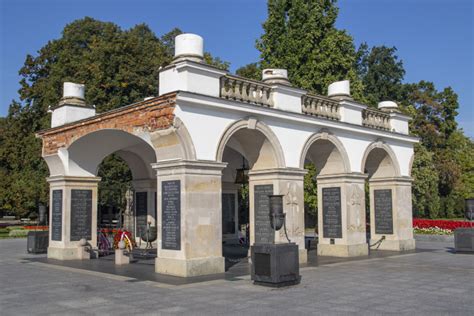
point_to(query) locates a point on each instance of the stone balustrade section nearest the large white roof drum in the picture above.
(244, 90)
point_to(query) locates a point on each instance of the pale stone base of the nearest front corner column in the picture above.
(190, 267)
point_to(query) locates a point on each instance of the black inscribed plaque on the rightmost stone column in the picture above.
(383, 211)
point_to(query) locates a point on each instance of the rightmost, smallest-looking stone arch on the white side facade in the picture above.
(379, 161)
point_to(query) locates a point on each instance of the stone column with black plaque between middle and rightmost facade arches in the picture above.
(341, 215)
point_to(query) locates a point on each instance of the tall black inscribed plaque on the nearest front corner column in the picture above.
(171, 214)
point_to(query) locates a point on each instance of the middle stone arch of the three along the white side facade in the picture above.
(334, 154)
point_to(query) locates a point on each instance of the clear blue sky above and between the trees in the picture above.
(434, 38)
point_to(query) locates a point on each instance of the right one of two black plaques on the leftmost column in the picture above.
(81, 214)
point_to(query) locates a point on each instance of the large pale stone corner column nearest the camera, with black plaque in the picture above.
(189, 218)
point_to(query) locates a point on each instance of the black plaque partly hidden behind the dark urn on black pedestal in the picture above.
(264, 233)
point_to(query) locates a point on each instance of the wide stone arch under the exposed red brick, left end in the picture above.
(82, 148)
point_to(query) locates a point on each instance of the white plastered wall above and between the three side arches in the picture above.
(206, 126)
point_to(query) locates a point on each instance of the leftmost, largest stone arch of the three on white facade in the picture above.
(270, 146)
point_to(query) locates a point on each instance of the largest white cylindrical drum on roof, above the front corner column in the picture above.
(189, 46)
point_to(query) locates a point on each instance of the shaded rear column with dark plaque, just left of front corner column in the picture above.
(145, 197)
